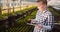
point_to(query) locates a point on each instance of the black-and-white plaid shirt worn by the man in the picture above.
(44, 18)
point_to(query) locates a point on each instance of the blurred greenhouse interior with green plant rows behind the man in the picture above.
(15, 14)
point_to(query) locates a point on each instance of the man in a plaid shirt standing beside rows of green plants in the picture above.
(44, 19)
